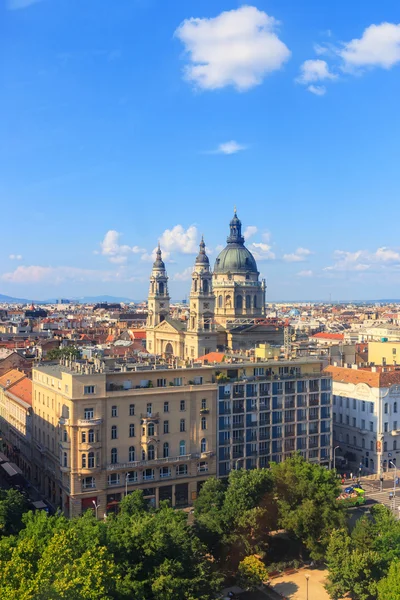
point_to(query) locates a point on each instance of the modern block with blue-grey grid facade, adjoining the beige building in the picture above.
(267, 411)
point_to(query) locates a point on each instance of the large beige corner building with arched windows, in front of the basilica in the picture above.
(100, 433)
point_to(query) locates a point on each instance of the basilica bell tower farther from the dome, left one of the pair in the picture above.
(158, 300)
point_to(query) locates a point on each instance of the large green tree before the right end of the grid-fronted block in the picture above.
(306, 497)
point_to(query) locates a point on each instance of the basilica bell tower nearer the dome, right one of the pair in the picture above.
(201, 335)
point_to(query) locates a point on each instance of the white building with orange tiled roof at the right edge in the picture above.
(366, 415)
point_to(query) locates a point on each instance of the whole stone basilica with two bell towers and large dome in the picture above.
(226, 305)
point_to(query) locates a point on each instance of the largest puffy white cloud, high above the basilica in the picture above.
(238, 47)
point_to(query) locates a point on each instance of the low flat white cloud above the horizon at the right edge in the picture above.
(364, 260)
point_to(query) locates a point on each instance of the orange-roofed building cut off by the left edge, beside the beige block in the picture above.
(16, 419)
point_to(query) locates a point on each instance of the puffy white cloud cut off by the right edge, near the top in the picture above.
(379, 46)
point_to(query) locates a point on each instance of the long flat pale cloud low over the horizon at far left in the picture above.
(38, 274)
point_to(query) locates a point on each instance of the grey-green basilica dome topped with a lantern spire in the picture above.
(235, 257)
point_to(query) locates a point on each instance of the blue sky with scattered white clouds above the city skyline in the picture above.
(130, 121)
